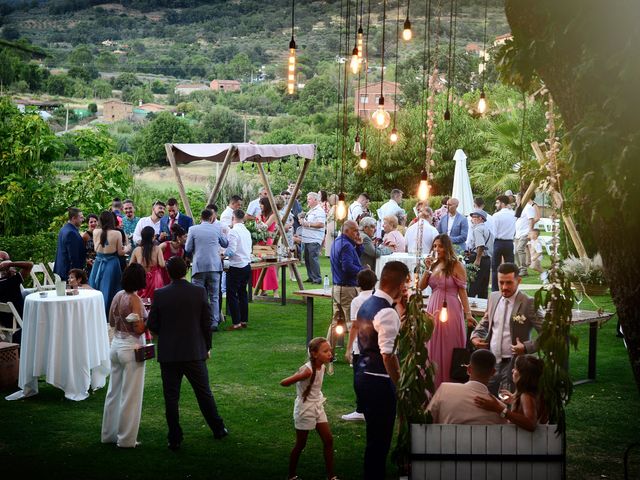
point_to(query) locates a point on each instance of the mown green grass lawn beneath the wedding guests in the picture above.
(50, 436)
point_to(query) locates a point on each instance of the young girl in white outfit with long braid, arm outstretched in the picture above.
(308, 409)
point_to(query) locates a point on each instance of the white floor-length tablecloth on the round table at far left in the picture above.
(66, 339)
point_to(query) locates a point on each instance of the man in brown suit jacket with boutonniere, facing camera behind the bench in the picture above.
(506, 326)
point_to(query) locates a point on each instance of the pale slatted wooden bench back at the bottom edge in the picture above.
(486, 452)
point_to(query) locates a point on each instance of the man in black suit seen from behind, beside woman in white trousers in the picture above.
(181, 316)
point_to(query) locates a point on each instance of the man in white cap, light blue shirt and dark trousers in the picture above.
(480, 248)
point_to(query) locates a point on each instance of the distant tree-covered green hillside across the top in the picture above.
(204, 40)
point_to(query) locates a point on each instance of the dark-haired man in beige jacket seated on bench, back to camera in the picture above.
(453, 402)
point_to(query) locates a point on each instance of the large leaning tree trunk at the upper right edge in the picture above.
(586, 54)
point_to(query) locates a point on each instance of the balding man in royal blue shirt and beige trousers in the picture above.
(345, 266)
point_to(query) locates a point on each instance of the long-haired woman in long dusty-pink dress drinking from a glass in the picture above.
(447, 278)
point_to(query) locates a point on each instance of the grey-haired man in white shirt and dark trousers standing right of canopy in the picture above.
(313, 226)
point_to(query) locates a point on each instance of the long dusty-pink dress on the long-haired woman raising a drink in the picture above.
(450, 334)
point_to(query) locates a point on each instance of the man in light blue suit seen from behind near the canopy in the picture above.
(203, 245)
